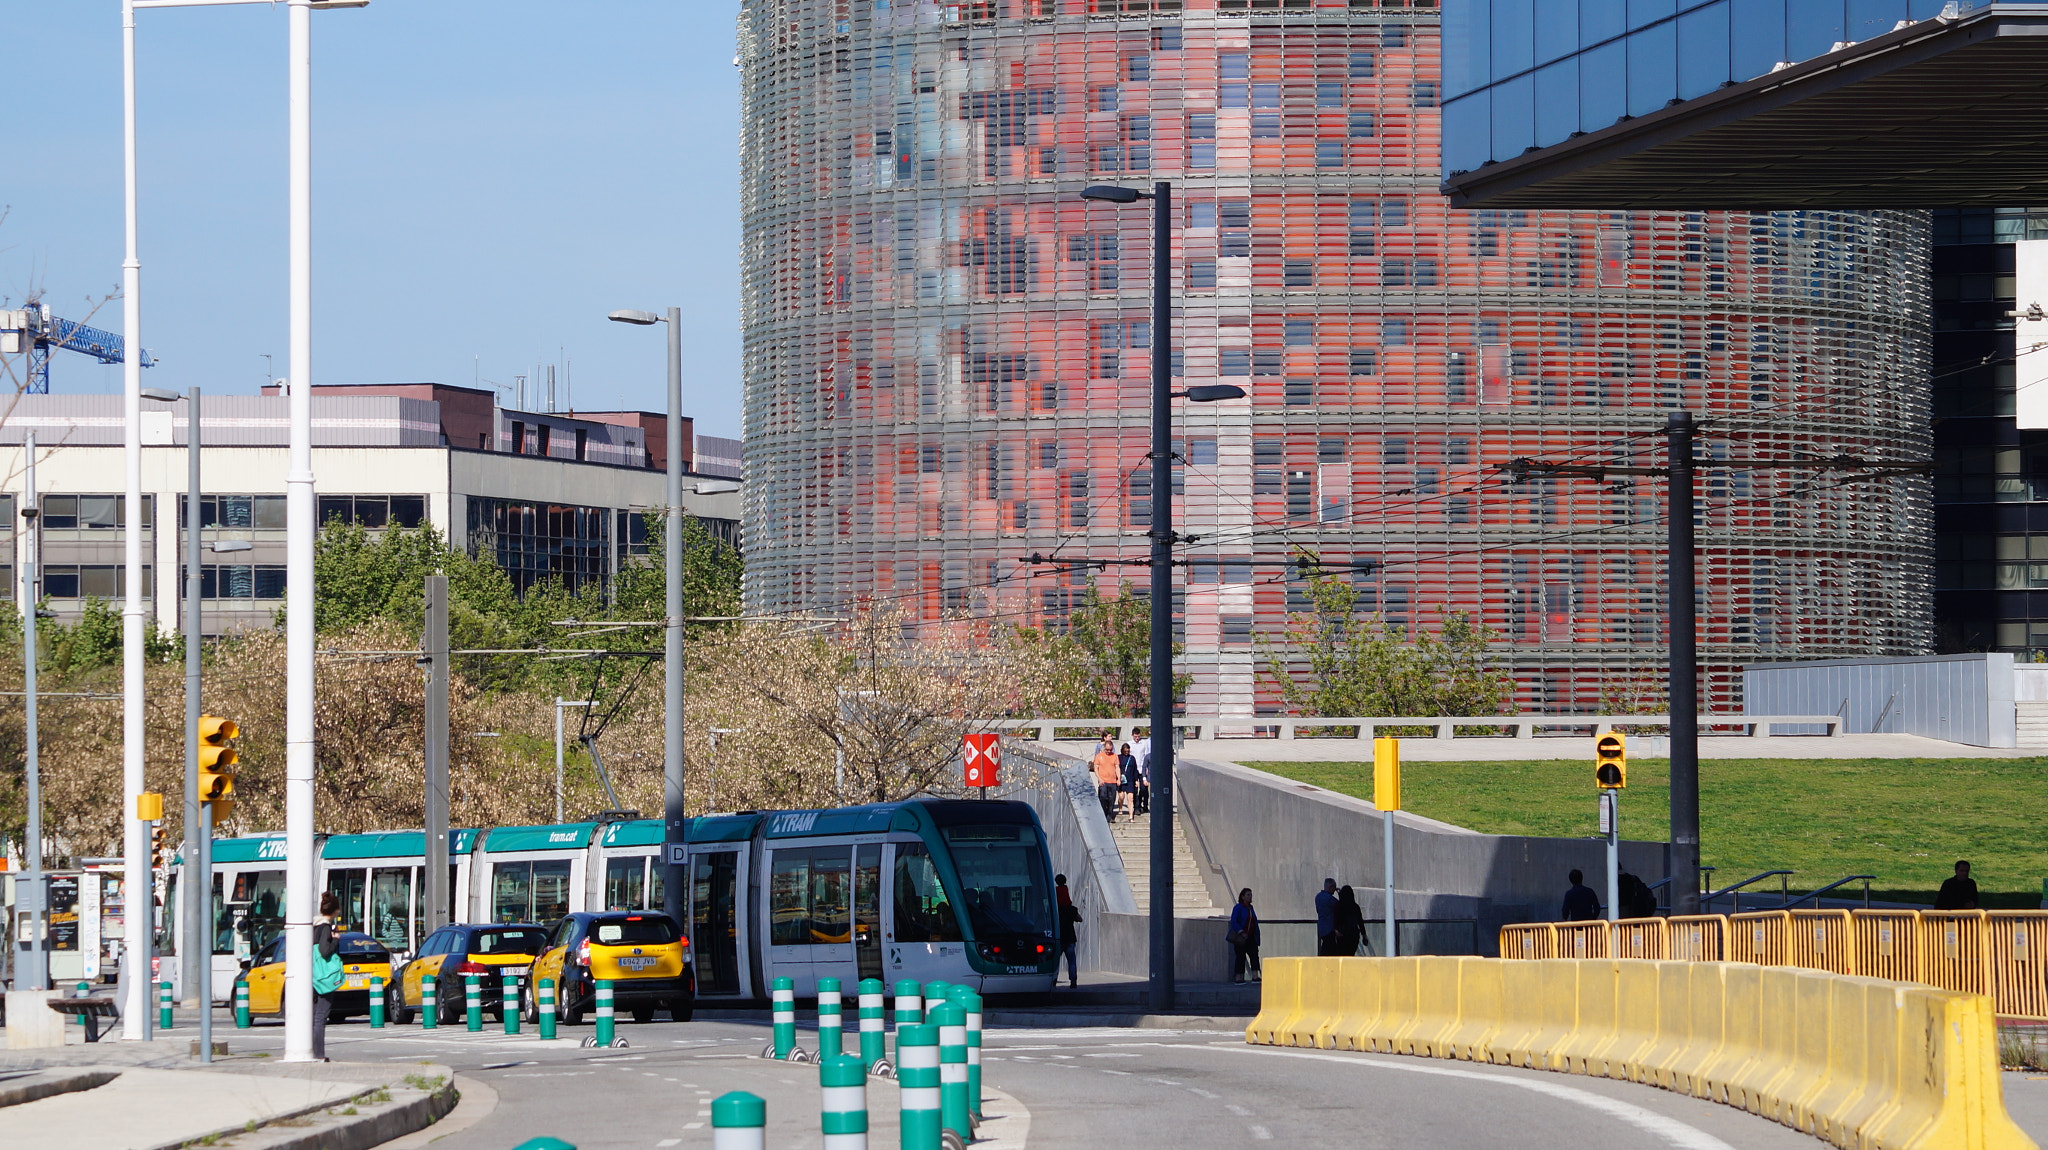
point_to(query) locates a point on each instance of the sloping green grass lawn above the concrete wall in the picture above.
(1906, 822)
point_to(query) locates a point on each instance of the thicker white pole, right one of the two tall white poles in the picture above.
(300, 873)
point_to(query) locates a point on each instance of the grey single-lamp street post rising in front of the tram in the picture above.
(675, 828)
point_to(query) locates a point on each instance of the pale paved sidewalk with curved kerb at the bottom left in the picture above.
(161, 1098)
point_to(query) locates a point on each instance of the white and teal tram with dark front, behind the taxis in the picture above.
(921, 889)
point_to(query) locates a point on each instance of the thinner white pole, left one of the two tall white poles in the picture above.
(136, 834)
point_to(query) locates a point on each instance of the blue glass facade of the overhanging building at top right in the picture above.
(1535, 73)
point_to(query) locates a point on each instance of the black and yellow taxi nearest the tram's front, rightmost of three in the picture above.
(644, 955)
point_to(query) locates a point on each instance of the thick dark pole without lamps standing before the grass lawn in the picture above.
(1684, 689)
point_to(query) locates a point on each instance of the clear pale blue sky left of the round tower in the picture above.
(488, 183)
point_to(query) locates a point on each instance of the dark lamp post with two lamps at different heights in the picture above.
(1162, 572)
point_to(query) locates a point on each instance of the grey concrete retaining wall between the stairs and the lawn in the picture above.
(1283, 838)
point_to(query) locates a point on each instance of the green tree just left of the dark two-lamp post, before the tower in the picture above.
(1101, 664)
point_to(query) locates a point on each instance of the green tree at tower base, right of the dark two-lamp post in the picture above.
(1342, 666)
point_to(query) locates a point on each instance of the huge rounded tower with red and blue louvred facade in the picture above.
(947, 351)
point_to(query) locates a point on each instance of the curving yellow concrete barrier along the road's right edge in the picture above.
(1861, 1063)
